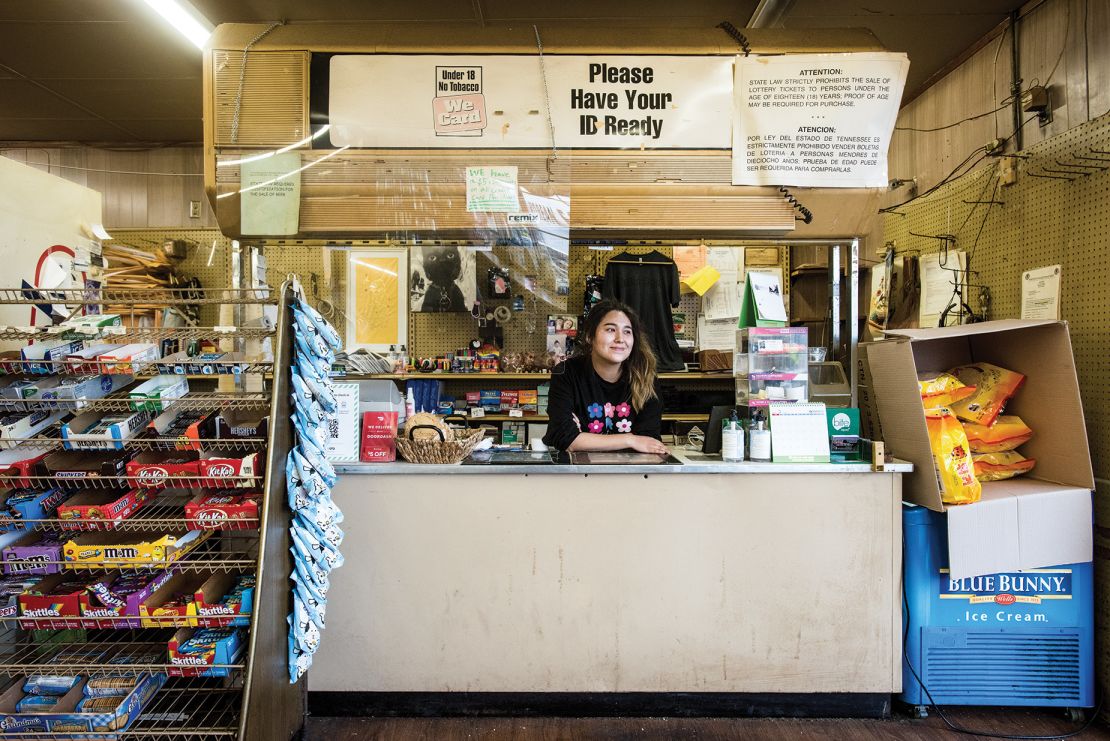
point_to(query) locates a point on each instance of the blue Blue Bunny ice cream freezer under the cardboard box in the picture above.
(1022, 638)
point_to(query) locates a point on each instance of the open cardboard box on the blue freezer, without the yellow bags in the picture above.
(1037, 521)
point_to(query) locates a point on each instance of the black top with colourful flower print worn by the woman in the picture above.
(583, 402)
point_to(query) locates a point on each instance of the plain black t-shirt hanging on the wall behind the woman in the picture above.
(650, 286)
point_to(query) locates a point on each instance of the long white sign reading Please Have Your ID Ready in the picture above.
(606, 101)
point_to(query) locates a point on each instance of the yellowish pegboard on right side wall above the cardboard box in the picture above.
(1056, 214)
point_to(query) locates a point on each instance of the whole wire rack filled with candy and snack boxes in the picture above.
(144, 525)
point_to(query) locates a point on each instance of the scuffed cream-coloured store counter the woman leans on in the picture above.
(698, 576)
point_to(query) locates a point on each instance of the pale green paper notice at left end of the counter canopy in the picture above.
(270, 204)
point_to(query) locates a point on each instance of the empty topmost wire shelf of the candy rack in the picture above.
(162, 297)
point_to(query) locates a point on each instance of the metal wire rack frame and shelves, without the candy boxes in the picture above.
(255, 702)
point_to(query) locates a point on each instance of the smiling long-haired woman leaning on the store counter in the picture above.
(603, 399)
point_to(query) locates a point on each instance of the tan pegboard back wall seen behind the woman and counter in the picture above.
(324, 270)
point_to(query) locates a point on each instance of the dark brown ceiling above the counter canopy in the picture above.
(113, 72)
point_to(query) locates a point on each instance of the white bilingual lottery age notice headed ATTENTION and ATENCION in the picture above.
(816, 120)
